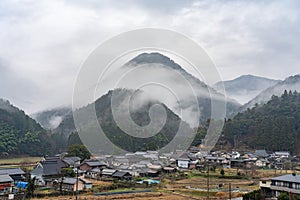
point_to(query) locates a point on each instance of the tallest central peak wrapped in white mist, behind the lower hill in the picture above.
(183, 93)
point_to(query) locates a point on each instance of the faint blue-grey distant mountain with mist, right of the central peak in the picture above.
(245, 88)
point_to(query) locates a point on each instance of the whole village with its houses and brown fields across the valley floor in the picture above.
(152, 171)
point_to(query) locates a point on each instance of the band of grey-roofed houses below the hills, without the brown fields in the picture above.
(59, 171)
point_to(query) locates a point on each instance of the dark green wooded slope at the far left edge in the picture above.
(19, 134)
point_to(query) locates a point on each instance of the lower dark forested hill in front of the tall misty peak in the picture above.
(163, 122)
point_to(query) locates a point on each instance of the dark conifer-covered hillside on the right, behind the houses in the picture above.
(272, 126)
